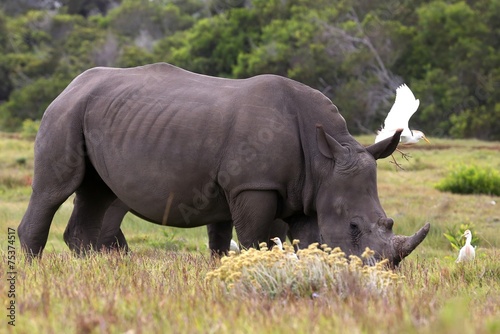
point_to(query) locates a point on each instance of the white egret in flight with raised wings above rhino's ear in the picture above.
(399, 116)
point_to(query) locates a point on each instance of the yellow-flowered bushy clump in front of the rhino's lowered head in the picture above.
(282, 273)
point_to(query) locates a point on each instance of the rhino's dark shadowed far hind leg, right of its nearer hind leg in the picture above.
(93, 198)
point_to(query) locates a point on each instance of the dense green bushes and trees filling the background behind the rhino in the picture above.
(355, 51)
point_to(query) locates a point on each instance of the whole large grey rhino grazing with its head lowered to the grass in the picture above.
(186, 150)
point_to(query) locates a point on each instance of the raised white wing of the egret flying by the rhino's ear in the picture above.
(404, 107)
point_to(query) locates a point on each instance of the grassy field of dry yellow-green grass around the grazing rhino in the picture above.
(161, 288)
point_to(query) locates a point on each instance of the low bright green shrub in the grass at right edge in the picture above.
(471, 179)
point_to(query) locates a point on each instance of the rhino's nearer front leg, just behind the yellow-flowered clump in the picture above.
(253, 213)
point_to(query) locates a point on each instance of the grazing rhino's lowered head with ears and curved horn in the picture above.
(349, 212)
